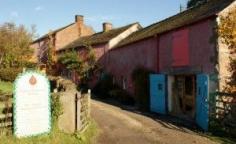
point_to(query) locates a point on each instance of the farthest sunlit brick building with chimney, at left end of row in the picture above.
(60, 38)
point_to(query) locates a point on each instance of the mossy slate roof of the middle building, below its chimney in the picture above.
(97, 38)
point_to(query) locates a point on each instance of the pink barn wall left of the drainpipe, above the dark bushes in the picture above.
(122, 61)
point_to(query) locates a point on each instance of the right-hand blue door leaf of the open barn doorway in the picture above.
(202, 111)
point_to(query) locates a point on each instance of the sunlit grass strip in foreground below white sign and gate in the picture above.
(56, 137)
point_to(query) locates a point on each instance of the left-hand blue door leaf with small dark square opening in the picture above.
(158, 93)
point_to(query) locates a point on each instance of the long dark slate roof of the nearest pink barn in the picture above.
(186, 17)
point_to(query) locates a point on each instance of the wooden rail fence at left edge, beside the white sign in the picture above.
(6, 113)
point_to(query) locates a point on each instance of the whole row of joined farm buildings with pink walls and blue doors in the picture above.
(188, 59)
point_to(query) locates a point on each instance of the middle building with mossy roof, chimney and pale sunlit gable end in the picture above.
(102, 43)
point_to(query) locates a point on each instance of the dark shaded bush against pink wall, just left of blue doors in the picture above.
(140, 77)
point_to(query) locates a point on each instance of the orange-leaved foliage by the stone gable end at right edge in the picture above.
(227, 32)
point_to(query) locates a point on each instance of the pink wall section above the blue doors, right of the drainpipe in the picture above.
(200, 50)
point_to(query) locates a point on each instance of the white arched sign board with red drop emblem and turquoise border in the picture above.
(32, 112)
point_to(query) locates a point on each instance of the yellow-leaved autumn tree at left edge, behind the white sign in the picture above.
(15, 43)
